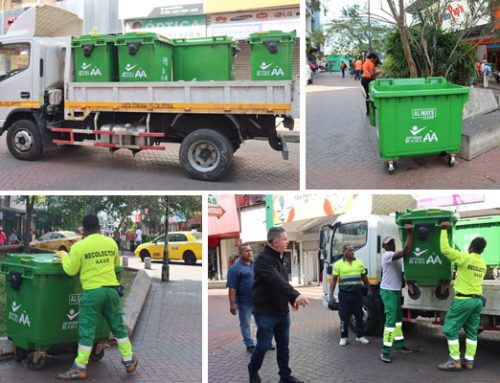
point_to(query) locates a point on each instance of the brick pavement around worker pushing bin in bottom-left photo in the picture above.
(166, 339)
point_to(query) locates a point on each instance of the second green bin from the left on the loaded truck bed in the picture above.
(144, 56)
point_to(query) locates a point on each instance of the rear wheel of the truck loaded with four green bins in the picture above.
(206, 154)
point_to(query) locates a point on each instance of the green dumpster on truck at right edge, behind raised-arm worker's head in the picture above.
(487, 227)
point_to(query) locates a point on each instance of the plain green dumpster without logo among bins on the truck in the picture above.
(204, 59)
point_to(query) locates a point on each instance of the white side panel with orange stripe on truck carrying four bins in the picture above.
(227, 97)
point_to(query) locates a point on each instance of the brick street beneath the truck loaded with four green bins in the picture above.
(255, 167)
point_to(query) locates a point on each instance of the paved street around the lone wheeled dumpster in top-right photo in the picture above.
(342, 148)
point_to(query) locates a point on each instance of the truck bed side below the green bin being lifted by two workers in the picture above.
(429, 302)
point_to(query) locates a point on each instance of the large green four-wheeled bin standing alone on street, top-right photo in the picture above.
(418, 116)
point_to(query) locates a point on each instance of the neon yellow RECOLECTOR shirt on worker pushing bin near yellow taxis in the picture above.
(95, 257)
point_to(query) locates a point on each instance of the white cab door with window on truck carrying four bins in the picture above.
(16, 78)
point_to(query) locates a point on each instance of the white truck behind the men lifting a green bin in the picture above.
(365, 233)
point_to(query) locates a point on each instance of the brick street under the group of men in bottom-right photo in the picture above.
(315, 355)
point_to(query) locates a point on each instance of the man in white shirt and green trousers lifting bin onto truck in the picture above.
(390, 292)
